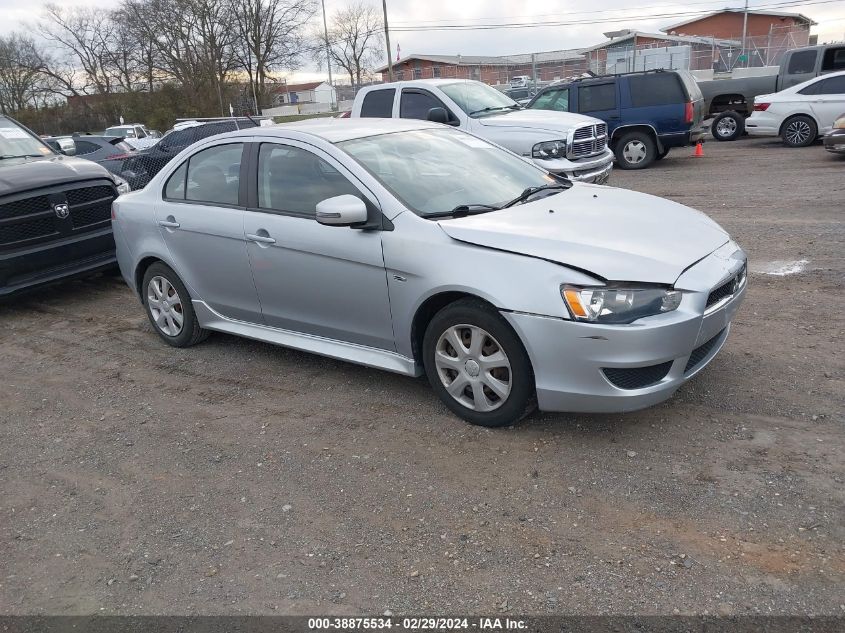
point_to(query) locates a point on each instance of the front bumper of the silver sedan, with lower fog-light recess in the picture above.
(583, 367)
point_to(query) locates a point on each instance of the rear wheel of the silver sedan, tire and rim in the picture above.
(169, 307)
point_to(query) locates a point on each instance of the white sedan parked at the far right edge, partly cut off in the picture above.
(800, 114)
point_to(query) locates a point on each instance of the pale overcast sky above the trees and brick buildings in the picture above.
(615, 14)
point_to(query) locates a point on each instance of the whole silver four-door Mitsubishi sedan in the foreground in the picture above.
(416, 248)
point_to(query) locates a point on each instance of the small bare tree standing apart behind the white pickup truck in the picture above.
(356, 40)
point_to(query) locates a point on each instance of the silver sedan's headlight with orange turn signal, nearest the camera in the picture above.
(620, 304)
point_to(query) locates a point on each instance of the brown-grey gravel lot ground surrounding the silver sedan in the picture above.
(238, 477)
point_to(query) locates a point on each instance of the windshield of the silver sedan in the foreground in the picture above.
(434, 171)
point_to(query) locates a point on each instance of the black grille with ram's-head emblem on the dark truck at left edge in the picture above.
(32, 217)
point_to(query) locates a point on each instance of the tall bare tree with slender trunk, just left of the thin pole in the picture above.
(270, 36)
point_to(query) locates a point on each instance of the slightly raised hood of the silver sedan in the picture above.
(614, 233)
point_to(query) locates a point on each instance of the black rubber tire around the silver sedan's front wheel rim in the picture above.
(521, 399)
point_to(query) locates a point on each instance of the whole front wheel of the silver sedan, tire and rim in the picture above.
(477, 365)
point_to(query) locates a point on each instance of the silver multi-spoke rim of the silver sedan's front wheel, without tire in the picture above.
(473, 367)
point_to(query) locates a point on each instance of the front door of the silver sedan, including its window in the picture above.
(326, 281)
